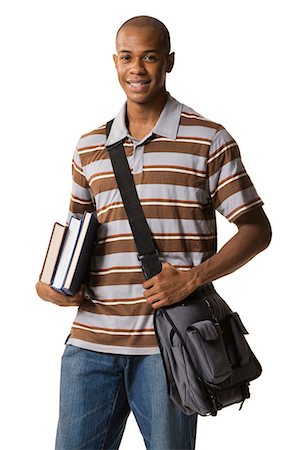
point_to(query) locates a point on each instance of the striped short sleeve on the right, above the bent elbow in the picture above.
(231, 190)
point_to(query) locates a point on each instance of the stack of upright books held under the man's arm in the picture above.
(69, 253)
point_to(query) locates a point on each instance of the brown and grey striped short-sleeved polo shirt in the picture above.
(184, 170)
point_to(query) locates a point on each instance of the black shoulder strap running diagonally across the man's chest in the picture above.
(147, 252)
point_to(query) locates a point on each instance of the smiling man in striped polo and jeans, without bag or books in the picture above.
(185, 167)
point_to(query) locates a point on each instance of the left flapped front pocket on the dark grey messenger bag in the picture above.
(207, 350)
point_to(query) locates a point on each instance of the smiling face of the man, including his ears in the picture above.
(142, 63)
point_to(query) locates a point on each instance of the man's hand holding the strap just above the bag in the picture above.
(168, 287)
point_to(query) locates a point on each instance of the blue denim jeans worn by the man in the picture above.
(99, 390)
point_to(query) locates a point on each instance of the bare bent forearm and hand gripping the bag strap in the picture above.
(171, 285)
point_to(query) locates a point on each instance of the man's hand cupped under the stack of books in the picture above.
(48, 294)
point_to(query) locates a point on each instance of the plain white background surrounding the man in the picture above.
(236, 64)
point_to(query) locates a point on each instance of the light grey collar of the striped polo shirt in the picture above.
(166, 126)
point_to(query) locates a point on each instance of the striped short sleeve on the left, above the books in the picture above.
(81, 197)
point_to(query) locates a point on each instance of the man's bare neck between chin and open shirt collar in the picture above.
(142, 118)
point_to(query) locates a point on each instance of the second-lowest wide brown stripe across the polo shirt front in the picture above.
(137, 309)
